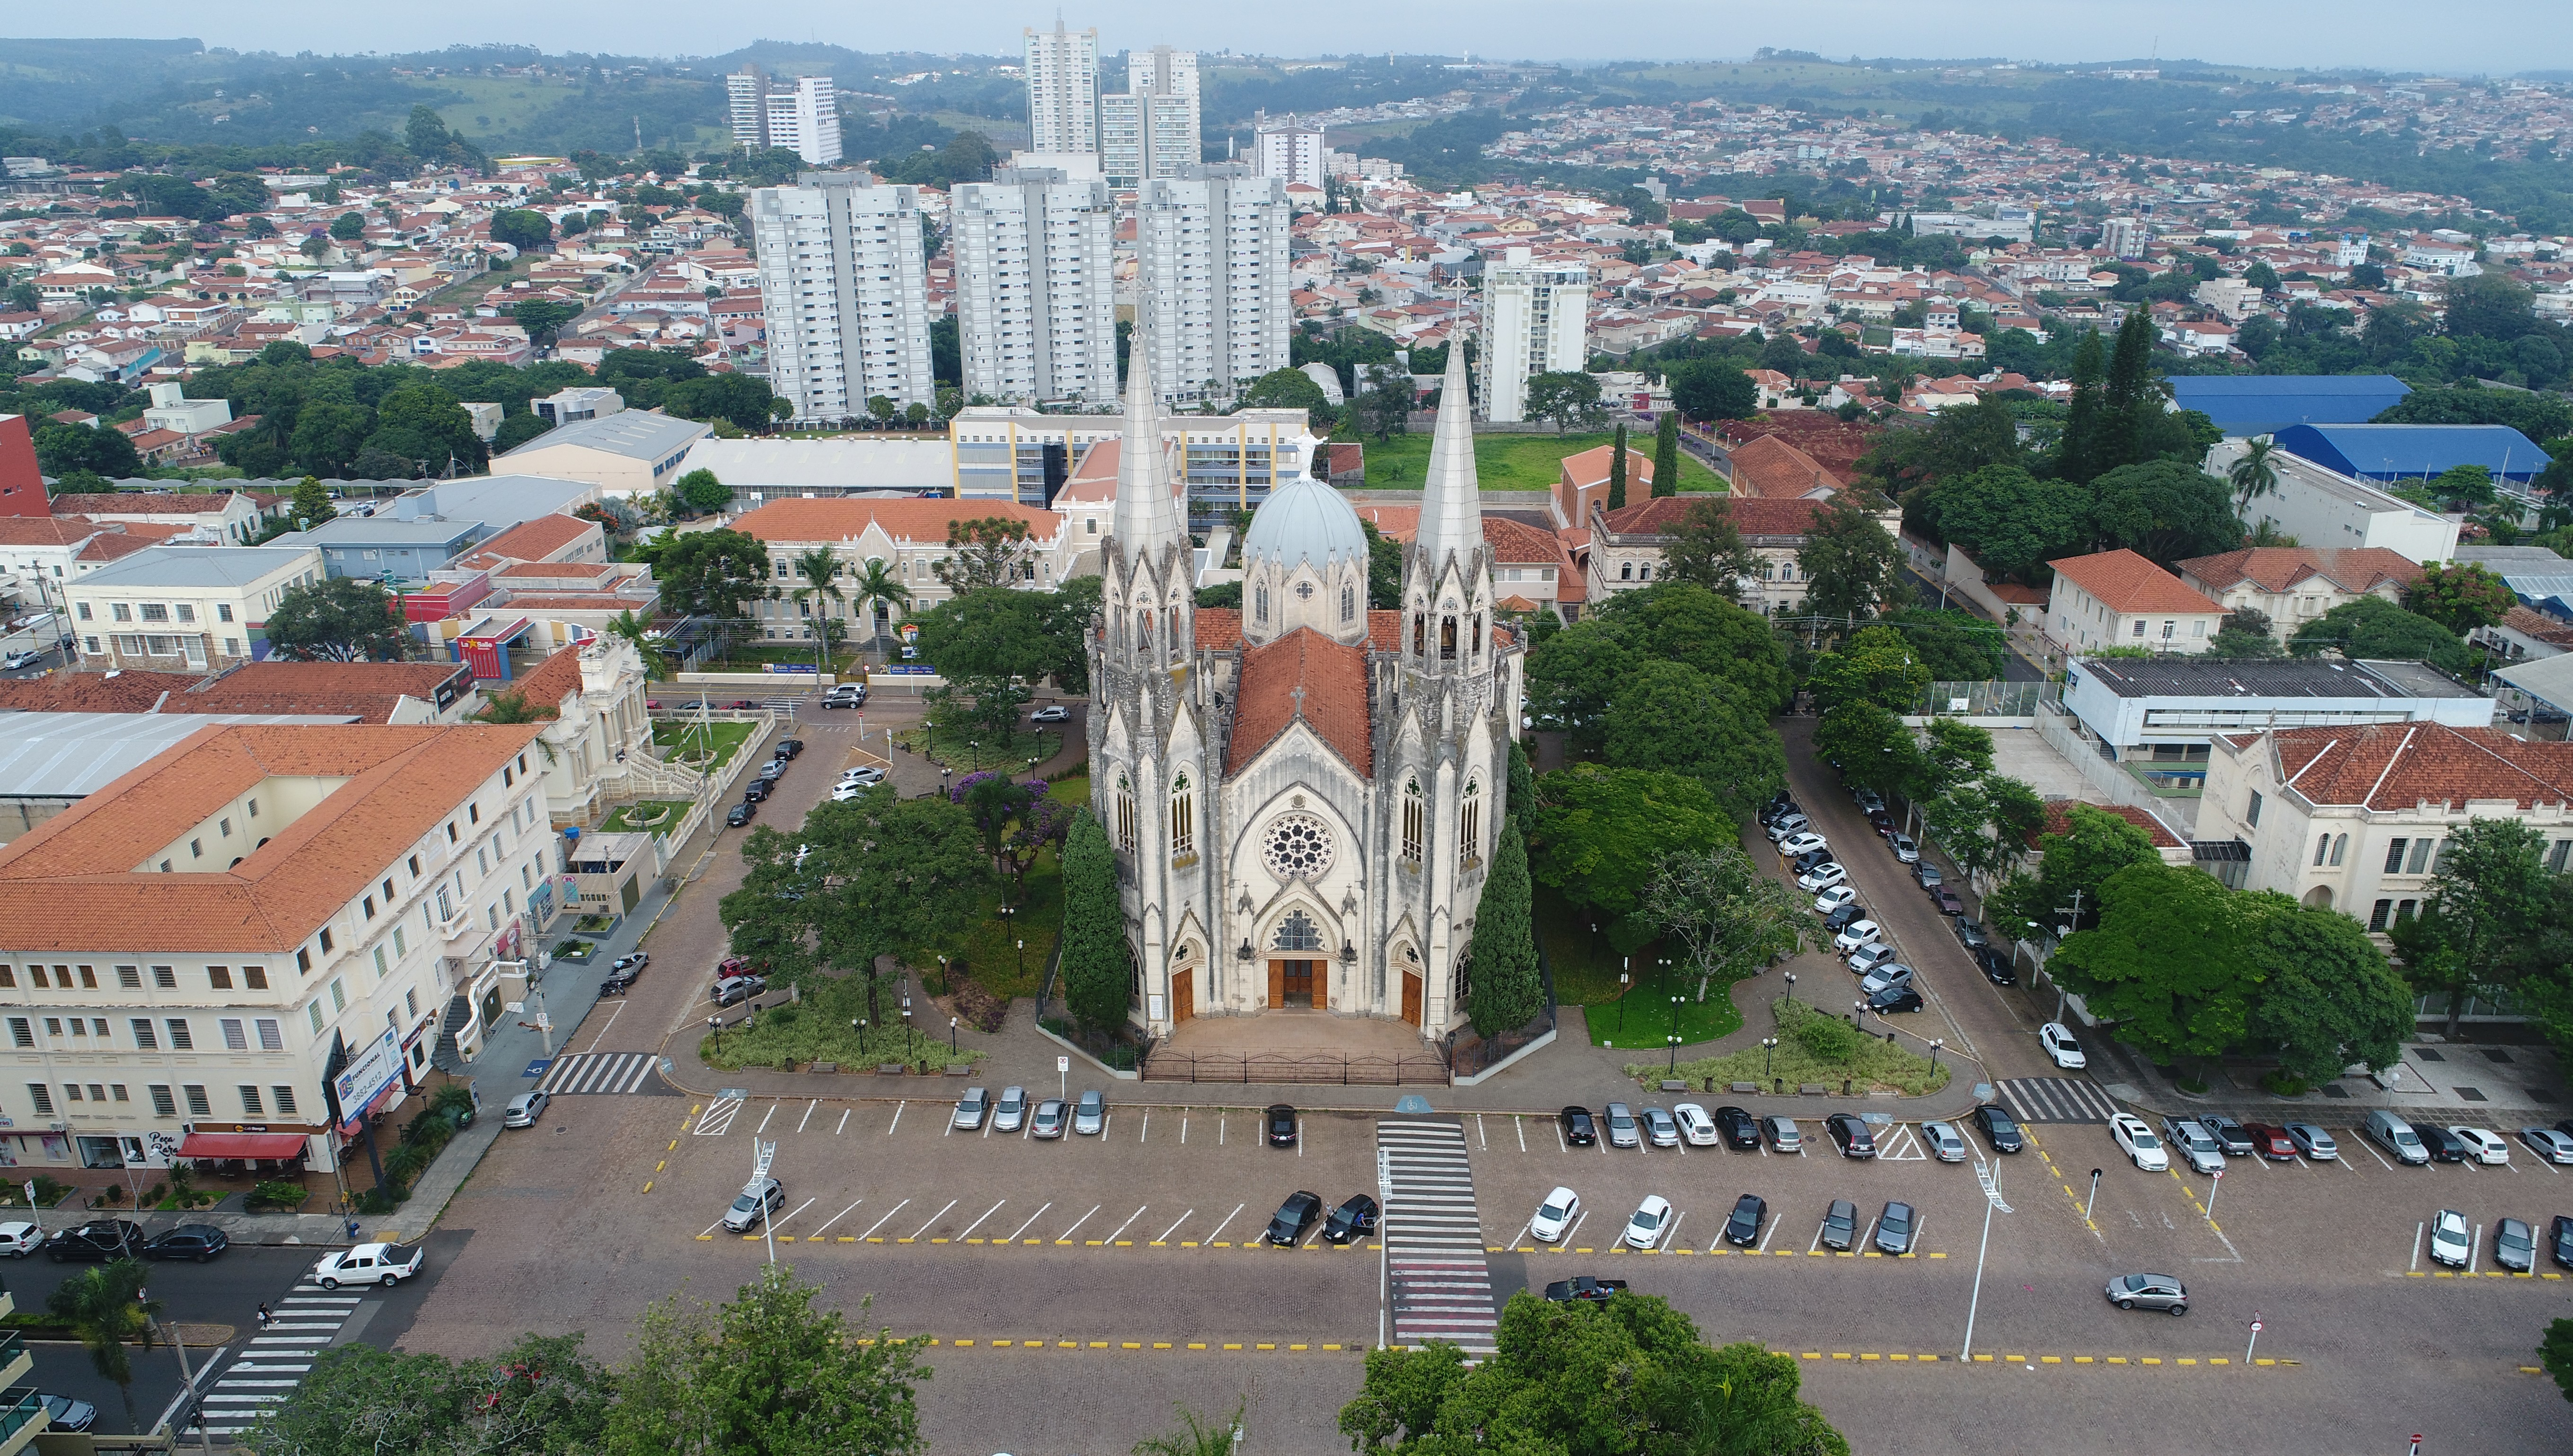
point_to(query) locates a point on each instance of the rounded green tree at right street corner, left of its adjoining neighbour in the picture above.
(2168, 963)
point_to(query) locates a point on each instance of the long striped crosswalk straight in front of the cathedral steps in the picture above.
(1442, 1288)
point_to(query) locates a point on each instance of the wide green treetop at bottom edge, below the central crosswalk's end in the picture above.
(1617, 1378)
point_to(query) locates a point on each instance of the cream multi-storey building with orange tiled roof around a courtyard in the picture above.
(194, 943)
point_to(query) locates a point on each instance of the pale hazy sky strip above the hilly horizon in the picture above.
(2495, 37)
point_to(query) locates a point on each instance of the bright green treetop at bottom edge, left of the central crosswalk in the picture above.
(768, 1372)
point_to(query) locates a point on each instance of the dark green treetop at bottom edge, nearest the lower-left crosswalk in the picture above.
(542, 1396)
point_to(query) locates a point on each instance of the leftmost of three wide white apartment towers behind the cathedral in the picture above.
(845, 292)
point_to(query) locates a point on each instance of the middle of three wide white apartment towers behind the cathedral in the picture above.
(1036, 287)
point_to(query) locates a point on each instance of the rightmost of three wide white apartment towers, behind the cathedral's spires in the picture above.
(1211, 248)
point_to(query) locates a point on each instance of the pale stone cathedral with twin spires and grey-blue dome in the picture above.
(1303, 791)
